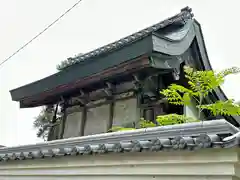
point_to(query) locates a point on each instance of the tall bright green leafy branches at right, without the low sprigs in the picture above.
(201, 84)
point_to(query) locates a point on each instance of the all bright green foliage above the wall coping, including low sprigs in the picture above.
(201, 84)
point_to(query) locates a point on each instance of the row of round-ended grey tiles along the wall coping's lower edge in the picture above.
(157, 144)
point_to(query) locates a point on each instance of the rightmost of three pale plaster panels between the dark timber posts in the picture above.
(125, 112)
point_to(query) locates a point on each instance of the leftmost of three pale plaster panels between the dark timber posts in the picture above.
(73, 124)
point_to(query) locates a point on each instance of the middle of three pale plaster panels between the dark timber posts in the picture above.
(97, 120)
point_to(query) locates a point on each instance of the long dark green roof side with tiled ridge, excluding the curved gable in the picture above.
(95, 63)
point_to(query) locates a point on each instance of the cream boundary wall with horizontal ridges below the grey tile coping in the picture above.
(209, 164)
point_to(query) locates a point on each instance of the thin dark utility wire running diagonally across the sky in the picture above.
(35, 37)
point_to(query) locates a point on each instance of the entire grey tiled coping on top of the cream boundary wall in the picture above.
(149, 139)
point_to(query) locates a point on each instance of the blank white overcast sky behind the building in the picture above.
(91, 24)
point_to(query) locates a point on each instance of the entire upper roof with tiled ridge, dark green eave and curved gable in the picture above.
(171, 37)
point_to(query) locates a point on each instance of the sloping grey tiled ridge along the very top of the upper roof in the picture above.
(183, 16)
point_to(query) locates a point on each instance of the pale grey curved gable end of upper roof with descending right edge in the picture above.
(191, 31)
